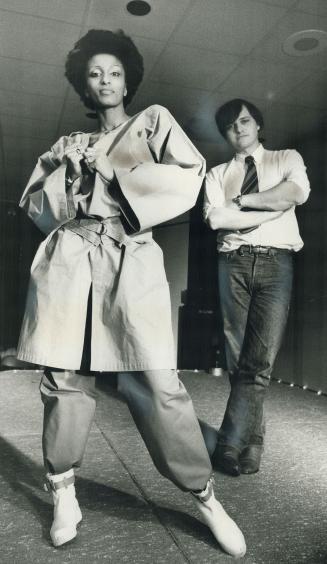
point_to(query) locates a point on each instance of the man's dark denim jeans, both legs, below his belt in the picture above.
(255, 292)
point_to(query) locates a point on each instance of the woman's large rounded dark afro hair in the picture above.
(104, 41)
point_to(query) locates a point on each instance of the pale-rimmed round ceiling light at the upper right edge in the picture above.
(305, 42)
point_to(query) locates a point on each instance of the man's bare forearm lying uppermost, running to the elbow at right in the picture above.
(279, 198)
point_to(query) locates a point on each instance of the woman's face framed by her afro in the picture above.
(105, 81)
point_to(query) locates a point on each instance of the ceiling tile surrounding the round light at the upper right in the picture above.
(271, 47)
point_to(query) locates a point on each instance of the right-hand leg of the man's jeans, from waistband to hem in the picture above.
(267, 316)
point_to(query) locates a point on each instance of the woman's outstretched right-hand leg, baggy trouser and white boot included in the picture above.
(164, 415)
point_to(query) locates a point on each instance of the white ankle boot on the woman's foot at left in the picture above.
(66, 512)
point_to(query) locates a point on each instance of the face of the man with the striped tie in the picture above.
(242, 134)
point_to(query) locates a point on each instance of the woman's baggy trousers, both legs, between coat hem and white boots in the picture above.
(160, 406)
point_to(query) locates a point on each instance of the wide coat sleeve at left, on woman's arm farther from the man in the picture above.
(45, 199)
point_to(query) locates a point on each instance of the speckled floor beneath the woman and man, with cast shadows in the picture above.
(132, 515)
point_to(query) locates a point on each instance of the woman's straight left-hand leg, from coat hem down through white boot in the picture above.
(69, 405)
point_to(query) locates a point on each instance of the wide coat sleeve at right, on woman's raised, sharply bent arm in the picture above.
(166, 185)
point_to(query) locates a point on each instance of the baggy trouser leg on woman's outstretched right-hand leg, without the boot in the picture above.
(165, 417)
